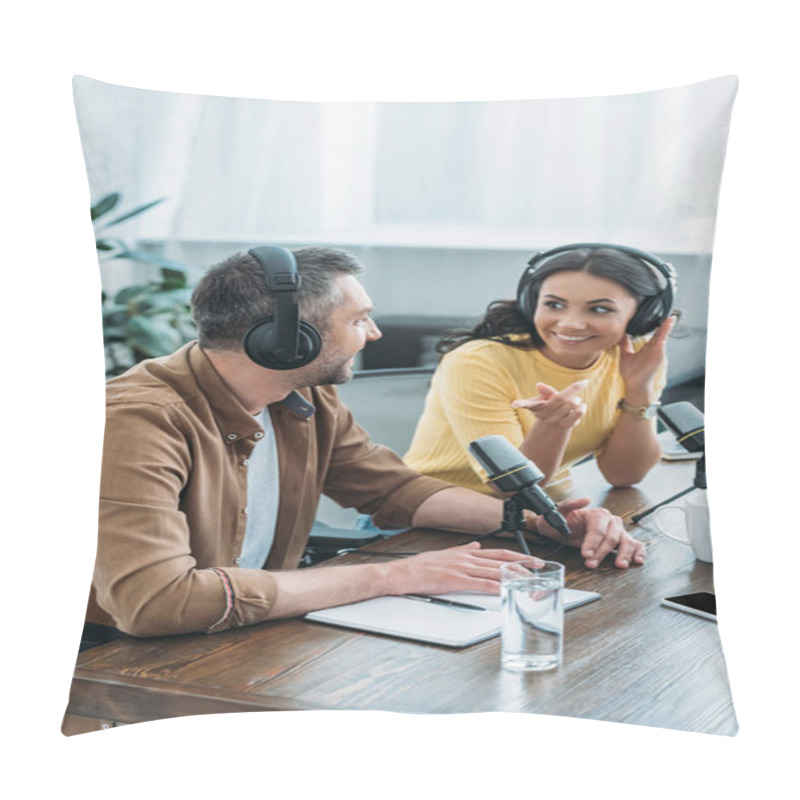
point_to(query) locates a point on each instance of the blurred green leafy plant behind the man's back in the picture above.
(142, 320)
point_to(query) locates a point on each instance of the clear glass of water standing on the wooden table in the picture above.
(533, 615)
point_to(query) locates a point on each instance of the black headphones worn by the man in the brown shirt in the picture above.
(283, 340)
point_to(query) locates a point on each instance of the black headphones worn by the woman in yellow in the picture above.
(652, 310)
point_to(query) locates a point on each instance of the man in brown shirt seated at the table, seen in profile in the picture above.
(213, 466)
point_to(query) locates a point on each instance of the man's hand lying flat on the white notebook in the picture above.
(466, 568)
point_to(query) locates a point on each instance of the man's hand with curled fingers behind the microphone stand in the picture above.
(597, 532)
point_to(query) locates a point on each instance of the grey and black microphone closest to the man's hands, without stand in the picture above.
(511, 472)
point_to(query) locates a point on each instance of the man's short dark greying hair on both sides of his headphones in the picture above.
(233, 294)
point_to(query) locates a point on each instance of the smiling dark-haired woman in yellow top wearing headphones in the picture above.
(574, 366)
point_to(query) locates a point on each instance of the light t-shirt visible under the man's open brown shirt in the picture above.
(263, 496)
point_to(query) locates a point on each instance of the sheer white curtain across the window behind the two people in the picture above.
(640, 169)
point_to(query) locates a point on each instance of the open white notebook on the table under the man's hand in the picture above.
(429, 622)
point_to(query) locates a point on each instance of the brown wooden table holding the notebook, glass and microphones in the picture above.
(626, 658)
